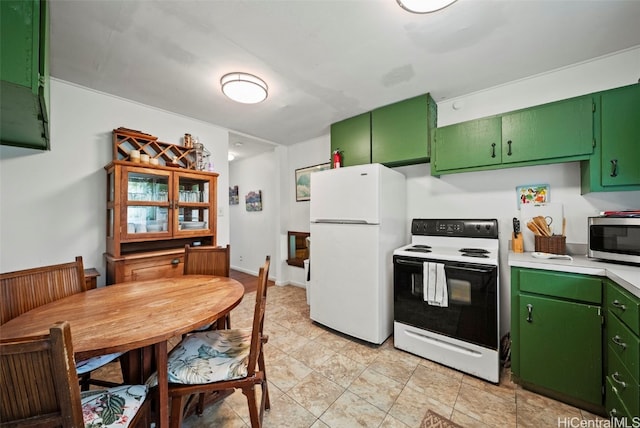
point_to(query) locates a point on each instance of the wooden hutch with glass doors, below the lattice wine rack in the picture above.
(152, 212)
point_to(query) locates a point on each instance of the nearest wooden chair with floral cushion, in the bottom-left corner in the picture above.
(40, 387)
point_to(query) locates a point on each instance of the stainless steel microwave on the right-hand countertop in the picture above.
(615, 239)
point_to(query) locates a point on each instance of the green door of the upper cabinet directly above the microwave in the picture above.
(620, 121)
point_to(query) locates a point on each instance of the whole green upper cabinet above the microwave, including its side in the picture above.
(614, 165)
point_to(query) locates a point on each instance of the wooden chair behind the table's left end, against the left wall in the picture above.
(28, 289)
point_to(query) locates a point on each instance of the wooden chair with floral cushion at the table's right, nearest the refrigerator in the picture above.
(238, 363)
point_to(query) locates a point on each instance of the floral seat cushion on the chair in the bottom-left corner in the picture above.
(113, 407)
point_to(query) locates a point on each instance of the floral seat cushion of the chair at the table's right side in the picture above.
(207, 357)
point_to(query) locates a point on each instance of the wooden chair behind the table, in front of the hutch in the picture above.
(209, 260)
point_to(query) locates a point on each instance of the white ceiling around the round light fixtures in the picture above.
(324, 60)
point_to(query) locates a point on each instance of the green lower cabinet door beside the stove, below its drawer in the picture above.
(561, 346)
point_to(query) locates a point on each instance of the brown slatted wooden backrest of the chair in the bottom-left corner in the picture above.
(39, 382)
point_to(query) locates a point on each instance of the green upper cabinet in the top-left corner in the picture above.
(24, 74)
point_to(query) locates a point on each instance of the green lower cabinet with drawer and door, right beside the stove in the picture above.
(556, 331)
